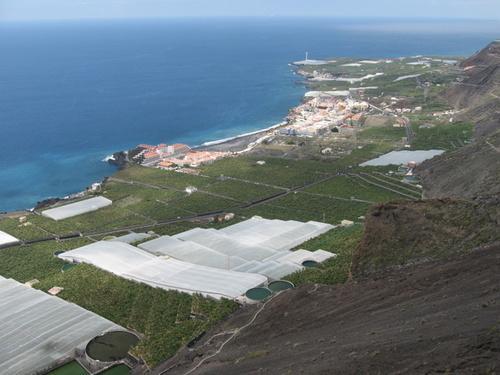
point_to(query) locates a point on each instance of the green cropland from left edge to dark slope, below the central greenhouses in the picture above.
(166, 319)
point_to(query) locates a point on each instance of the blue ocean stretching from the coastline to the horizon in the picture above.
(72, 93)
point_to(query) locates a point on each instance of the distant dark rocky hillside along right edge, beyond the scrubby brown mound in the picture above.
(475, 169)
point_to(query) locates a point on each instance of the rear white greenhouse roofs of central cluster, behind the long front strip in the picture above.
(256, 245)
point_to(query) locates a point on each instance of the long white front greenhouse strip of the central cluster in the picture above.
(135, 264)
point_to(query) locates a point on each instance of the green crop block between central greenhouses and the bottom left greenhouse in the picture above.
(165, 319)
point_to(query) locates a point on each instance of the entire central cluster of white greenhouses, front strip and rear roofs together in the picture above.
(216, 263)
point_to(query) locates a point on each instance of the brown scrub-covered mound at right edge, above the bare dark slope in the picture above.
(414, 232)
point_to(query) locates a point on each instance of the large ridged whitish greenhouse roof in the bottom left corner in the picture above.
(38, 330)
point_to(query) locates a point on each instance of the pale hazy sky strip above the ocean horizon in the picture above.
(70, 9)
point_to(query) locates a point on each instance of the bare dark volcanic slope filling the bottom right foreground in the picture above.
(432, 318)
